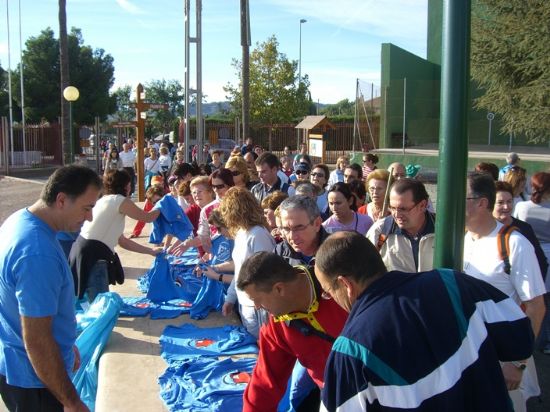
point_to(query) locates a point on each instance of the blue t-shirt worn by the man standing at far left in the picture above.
(35, 281)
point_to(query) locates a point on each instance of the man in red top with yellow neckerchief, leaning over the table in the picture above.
(302, 326)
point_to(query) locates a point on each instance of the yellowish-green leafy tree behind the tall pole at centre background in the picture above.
(275, 96)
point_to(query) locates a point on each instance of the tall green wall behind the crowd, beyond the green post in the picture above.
(423, 95)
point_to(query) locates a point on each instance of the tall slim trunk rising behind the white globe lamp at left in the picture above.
(65, 80)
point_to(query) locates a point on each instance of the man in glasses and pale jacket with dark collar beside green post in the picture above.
(405, 239)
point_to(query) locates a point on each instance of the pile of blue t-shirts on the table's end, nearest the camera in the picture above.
(206, 384)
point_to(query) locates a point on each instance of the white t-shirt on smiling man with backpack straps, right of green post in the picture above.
(482, 261)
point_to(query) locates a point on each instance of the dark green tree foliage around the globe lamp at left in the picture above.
(91, 72)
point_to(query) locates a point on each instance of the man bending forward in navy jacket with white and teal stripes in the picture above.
(429, 342)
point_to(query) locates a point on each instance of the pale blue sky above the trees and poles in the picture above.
(340, 40)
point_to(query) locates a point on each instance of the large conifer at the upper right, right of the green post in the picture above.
(511, 63)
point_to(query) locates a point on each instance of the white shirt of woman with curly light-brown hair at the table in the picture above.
(247, 242)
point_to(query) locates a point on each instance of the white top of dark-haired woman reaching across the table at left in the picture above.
(108, 223)
